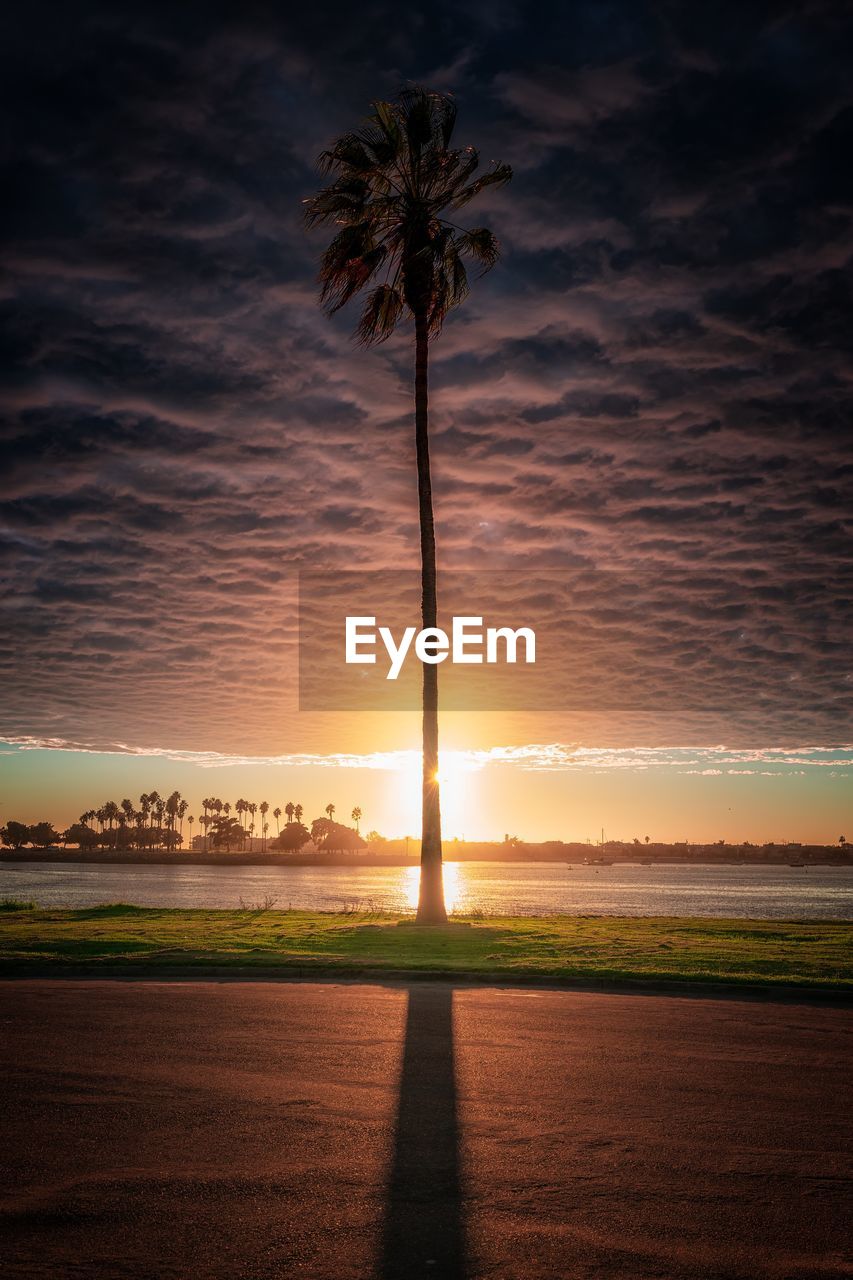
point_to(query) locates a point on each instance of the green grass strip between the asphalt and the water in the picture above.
(147, 941)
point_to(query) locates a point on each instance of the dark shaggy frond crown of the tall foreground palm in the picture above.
(394, 181)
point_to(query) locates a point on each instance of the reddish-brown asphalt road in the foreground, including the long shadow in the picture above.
(254, 1131)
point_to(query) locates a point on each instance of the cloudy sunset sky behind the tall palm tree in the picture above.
(651, 391)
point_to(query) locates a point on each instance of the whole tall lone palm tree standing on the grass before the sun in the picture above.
(393, 182)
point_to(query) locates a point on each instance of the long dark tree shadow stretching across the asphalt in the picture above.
(425, 1233)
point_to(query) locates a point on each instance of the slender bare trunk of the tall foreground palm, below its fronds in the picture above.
(431, 899)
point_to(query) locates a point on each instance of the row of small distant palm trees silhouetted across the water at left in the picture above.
(158, 822)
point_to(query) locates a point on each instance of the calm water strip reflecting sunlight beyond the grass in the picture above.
(494, 889)
